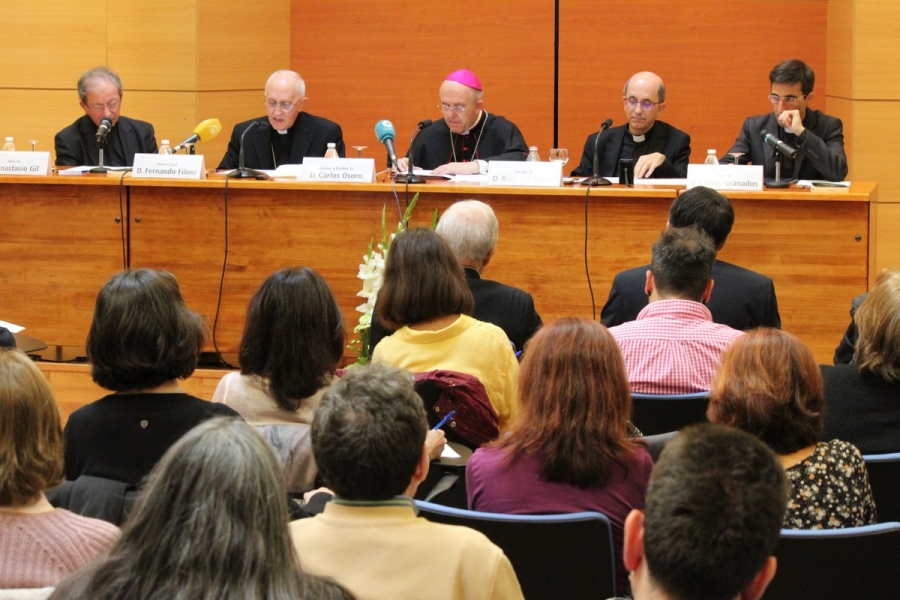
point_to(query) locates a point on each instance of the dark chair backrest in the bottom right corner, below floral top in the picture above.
(857, 562)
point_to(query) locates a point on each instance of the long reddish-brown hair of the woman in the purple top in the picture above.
(575, 404)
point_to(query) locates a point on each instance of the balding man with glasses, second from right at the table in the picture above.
(657, 148)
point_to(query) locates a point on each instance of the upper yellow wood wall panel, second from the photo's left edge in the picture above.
(153, 45)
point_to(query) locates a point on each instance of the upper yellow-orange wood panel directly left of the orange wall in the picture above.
(239, 45)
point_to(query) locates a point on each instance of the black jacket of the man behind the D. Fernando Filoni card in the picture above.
(311, 137)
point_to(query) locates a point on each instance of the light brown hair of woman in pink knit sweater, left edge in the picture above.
(31, 447)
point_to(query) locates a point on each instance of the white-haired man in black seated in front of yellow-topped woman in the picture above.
(470, 228)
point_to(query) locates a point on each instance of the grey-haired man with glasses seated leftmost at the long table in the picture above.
(100, 95)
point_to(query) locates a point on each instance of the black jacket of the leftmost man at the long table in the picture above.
(77, 144)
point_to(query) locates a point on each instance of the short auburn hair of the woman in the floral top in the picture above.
(770, 385)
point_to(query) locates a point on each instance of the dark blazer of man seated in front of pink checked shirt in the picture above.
(741, 298)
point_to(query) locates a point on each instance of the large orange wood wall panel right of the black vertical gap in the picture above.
(714, 57)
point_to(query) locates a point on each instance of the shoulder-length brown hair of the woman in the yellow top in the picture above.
(422, 280)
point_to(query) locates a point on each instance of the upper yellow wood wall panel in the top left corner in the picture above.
(46, 45)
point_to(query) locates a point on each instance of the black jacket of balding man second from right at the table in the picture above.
(673, 143)
